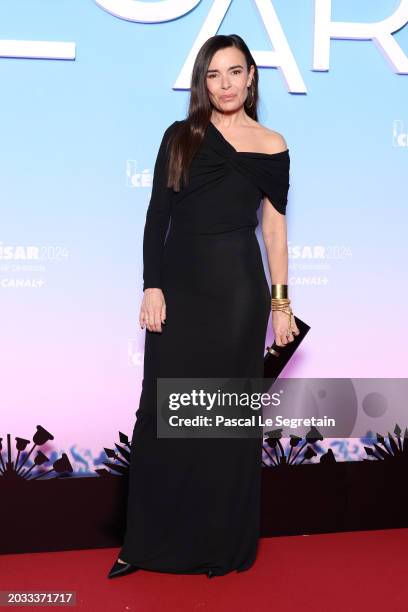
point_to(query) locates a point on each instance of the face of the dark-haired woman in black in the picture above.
(228, 79)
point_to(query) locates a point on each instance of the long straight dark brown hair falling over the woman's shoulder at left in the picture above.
(189, 134)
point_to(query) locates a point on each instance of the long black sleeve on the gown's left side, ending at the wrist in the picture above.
(157, 217)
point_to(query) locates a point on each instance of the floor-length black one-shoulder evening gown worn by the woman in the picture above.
(194, 503)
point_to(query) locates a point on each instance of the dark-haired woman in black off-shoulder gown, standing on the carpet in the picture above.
(193, 504)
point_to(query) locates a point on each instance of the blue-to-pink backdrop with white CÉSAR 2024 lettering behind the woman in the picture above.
(87, 89)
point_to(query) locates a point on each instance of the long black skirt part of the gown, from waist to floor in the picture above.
(194, 503)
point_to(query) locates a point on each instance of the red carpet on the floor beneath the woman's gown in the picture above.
(347, 572)
